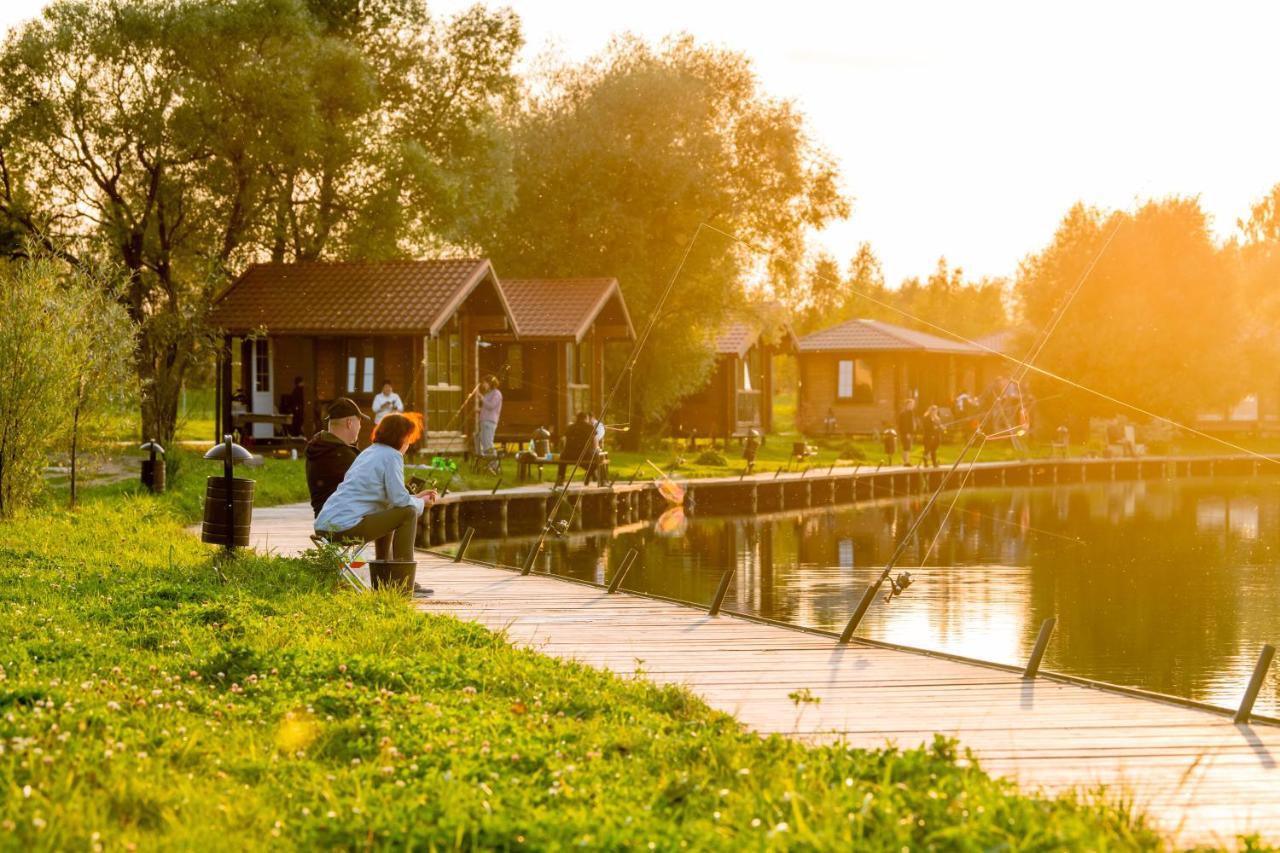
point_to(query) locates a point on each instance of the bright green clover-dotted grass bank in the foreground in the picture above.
(150, 699)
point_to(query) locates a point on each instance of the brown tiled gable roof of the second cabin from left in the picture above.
(561, 308)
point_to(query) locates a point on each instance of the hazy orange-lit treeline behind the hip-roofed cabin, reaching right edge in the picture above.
(1141, 313)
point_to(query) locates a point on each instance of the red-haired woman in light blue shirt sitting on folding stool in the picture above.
(373, 504)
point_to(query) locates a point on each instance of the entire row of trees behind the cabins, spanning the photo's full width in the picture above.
(180, 140)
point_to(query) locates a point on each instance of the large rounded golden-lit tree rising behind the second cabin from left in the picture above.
(619, 165)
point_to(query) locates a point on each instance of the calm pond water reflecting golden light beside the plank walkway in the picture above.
(1167, 586)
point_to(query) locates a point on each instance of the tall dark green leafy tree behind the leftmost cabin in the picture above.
(184, 139)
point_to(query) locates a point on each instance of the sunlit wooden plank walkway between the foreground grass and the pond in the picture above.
(1201, 778)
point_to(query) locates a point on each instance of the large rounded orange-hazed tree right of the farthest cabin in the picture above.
(1153, 325)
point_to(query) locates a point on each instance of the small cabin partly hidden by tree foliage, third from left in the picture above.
(739, 395)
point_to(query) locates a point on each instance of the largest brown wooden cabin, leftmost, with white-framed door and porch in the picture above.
(345, 329)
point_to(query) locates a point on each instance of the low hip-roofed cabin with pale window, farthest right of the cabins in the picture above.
(854, 377)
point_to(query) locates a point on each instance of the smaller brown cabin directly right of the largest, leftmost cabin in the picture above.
(556, 367)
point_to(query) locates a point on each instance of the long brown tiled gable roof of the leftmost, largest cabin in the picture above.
(372, 298)
